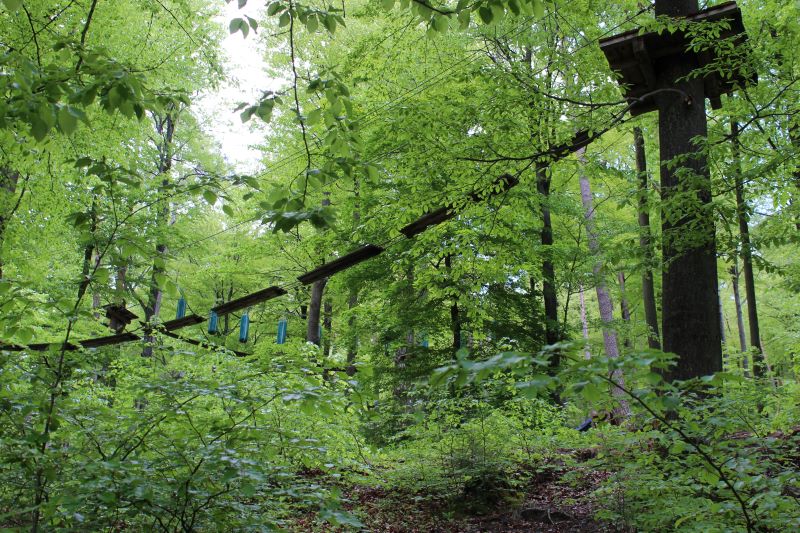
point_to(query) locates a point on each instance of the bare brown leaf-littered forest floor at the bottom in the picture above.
(557, 498)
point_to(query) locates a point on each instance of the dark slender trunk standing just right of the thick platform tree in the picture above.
(742, 216)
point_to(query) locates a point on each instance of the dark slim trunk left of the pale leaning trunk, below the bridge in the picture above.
(552, 333)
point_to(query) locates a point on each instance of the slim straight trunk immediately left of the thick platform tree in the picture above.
(646, 243)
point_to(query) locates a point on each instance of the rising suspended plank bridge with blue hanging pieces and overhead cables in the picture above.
(428, 220)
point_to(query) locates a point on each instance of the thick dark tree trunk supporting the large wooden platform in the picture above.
(690, 294)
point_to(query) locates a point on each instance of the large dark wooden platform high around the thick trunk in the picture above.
(634, 58)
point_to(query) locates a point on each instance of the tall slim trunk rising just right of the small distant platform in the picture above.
(166, 129)
